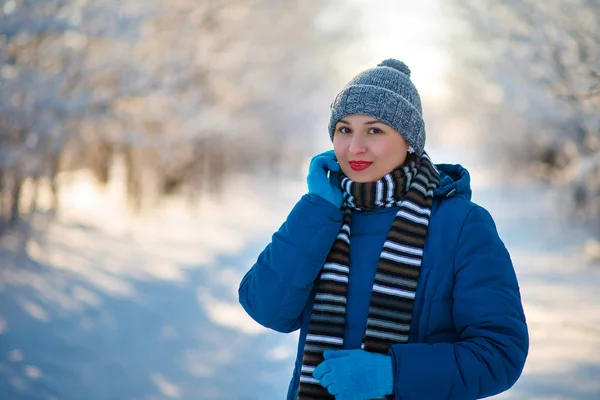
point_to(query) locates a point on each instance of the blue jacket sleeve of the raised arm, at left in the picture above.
(275, 290)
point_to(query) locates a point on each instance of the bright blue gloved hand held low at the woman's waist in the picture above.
(355, 374)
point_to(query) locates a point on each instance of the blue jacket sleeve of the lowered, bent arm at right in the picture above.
(489, 318)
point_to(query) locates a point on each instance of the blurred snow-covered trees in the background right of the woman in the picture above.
(530, 71)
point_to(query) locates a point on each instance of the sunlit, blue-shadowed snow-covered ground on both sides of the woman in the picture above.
(111, 305)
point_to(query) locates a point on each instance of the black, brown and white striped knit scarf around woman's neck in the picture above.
(390, 312)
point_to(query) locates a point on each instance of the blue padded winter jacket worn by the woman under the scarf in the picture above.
(468, 336)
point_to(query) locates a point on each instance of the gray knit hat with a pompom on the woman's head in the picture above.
(386, 93)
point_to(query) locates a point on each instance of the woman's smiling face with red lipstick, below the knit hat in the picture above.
(366, 148)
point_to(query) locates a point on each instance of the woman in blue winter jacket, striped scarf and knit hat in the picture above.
(399, 284)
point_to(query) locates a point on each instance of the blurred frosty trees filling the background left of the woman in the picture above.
(179, 92)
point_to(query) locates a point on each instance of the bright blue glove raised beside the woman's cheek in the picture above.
(322, 185)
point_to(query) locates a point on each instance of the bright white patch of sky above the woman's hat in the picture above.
(412, 32)
